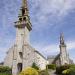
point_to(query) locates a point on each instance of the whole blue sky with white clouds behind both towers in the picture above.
(48, 17)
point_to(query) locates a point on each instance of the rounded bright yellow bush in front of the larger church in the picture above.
(29, 71)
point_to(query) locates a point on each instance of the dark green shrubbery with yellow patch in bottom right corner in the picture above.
(66, 70)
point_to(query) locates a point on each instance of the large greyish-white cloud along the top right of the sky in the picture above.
(54, 6)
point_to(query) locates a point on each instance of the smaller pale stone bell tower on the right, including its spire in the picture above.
(64, 57)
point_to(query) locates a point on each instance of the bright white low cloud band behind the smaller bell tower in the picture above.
(54, 48)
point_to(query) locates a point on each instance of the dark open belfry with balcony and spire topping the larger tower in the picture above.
(23, 17)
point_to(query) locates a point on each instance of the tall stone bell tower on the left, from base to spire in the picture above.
(23, 28)
